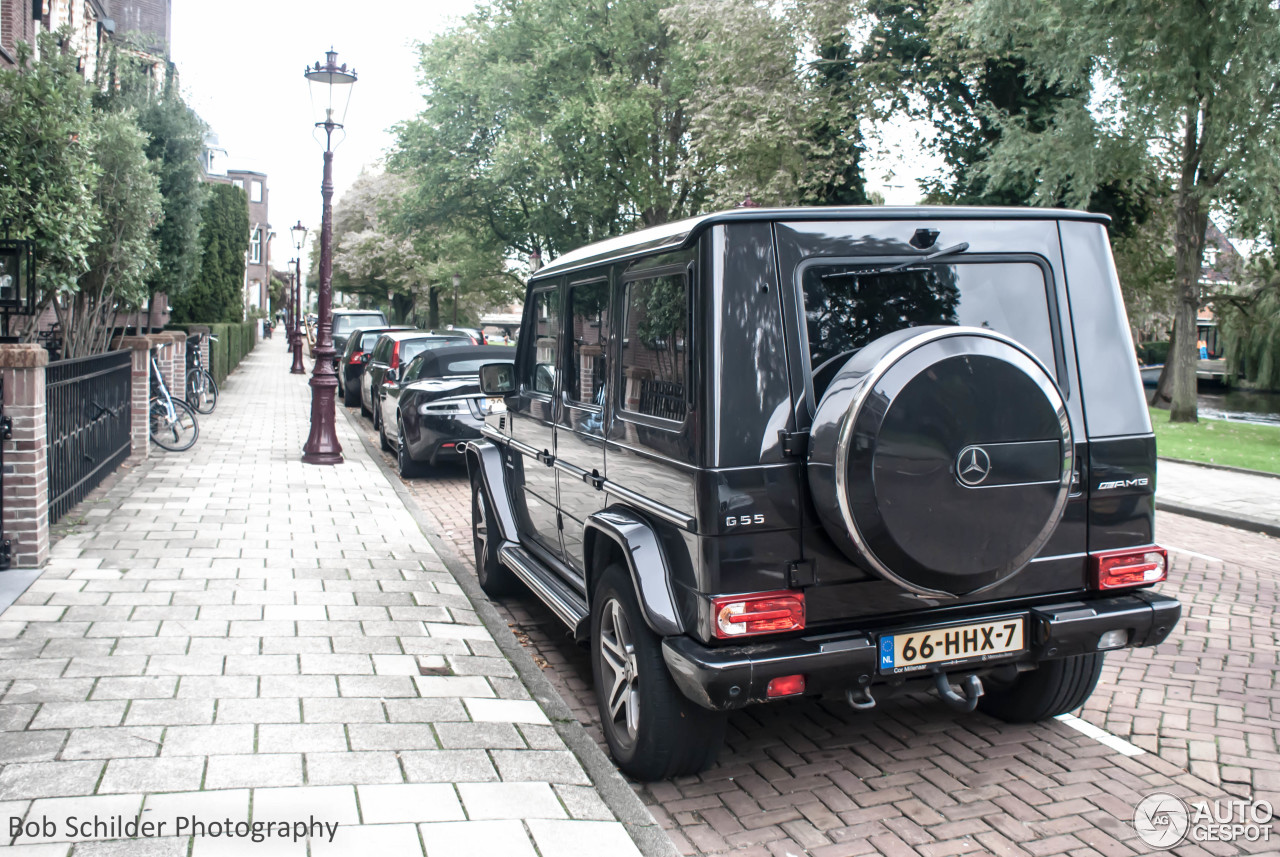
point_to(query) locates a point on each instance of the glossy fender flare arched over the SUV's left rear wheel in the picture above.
(646, 563)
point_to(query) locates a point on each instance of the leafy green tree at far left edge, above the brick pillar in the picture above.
(48, 175)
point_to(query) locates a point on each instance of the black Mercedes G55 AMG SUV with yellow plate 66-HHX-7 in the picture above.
(769, 453)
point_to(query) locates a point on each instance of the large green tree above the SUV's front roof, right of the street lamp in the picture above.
(551, 125)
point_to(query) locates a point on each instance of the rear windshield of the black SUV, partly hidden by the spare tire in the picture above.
(847, 306)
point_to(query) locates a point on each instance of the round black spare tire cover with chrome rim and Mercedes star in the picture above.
(941, 459)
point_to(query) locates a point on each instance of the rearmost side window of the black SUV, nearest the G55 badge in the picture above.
(656, 338)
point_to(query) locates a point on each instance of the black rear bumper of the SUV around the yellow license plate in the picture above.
(723, 679)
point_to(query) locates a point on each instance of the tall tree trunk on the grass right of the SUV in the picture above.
(1191, 223)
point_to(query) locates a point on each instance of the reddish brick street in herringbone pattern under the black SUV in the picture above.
(913, 778)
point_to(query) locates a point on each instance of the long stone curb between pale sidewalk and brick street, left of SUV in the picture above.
(615, 791)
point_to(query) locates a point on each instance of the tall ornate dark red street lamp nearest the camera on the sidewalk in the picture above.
(333, 83)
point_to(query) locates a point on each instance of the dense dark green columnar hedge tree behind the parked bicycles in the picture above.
(218, 292)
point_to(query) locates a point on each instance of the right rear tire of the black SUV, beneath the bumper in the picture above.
(1054, 689)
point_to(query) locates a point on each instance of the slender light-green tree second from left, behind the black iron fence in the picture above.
(122, 254)
